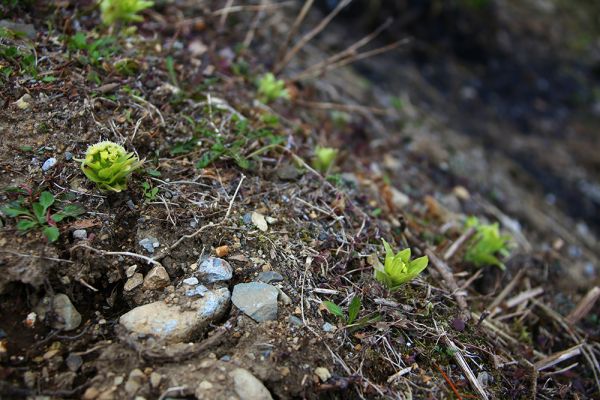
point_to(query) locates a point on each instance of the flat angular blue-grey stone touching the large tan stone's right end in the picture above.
(257, 300)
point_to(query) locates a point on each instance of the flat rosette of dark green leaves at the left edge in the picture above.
(38, 214)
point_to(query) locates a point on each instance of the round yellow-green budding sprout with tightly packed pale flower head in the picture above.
(108, 165)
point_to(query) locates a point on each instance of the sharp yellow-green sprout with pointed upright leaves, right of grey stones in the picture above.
(398, 269)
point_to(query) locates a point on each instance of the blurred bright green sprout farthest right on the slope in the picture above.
(487, 244)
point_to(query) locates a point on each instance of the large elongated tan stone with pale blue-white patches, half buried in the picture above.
(173, 323)
